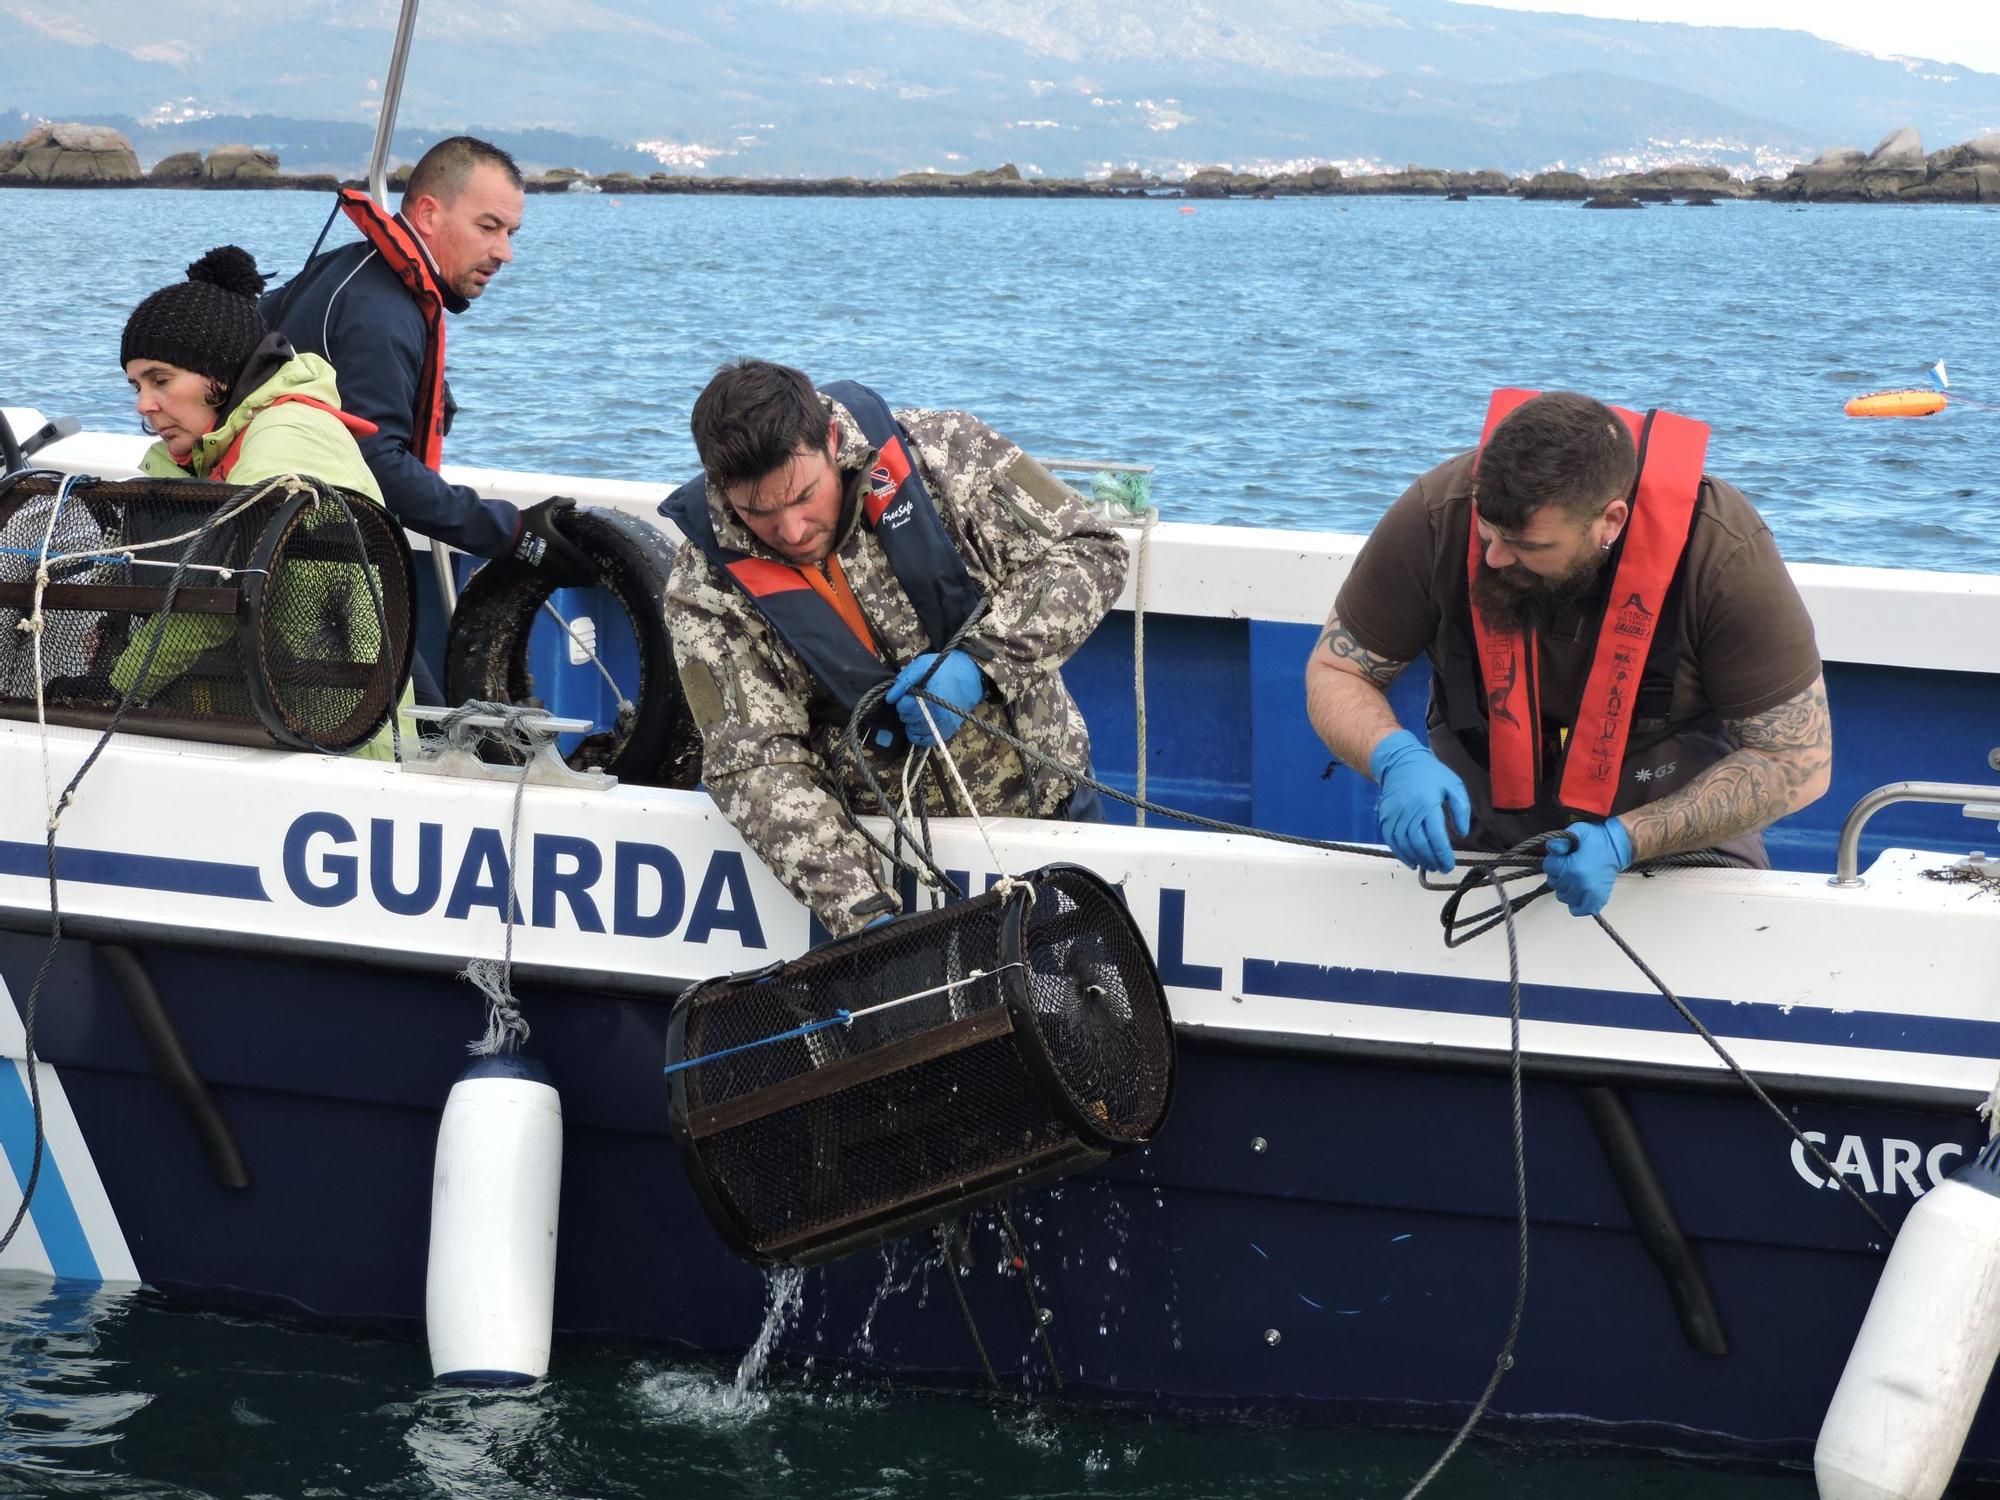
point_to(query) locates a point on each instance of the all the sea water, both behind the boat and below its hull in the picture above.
(1285, 365)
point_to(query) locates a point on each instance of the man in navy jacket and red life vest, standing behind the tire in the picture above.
(375, 311)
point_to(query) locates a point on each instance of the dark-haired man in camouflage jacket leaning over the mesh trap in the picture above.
(771, 729)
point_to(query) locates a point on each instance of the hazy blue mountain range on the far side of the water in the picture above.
(1061, 87)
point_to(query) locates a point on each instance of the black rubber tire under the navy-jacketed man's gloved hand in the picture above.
(487, 649)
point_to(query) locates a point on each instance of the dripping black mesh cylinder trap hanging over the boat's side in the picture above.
(987, 1047)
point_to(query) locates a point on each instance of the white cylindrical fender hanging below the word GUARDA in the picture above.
(491, 1291)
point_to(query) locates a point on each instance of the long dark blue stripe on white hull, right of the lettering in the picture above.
(1641, 1013)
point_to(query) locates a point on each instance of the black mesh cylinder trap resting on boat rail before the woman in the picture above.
(291, 623)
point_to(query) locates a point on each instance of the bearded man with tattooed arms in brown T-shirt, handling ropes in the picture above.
(1617, 653)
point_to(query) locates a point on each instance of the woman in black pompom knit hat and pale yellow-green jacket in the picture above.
(229, 401)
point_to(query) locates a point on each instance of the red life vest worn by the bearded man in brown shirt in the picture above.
(1671, 451)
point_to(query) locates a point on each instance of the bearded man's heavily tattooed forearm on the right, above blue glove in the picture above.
(1785, 763)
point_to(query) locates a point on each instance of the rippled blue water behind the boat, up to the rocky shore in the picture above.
(1283, 363)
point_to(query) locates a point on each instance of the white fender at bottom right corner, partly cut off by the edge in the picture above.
(1927, 1349)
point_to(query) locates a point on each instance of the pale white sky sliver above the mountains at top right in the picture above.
(1951, 31)
